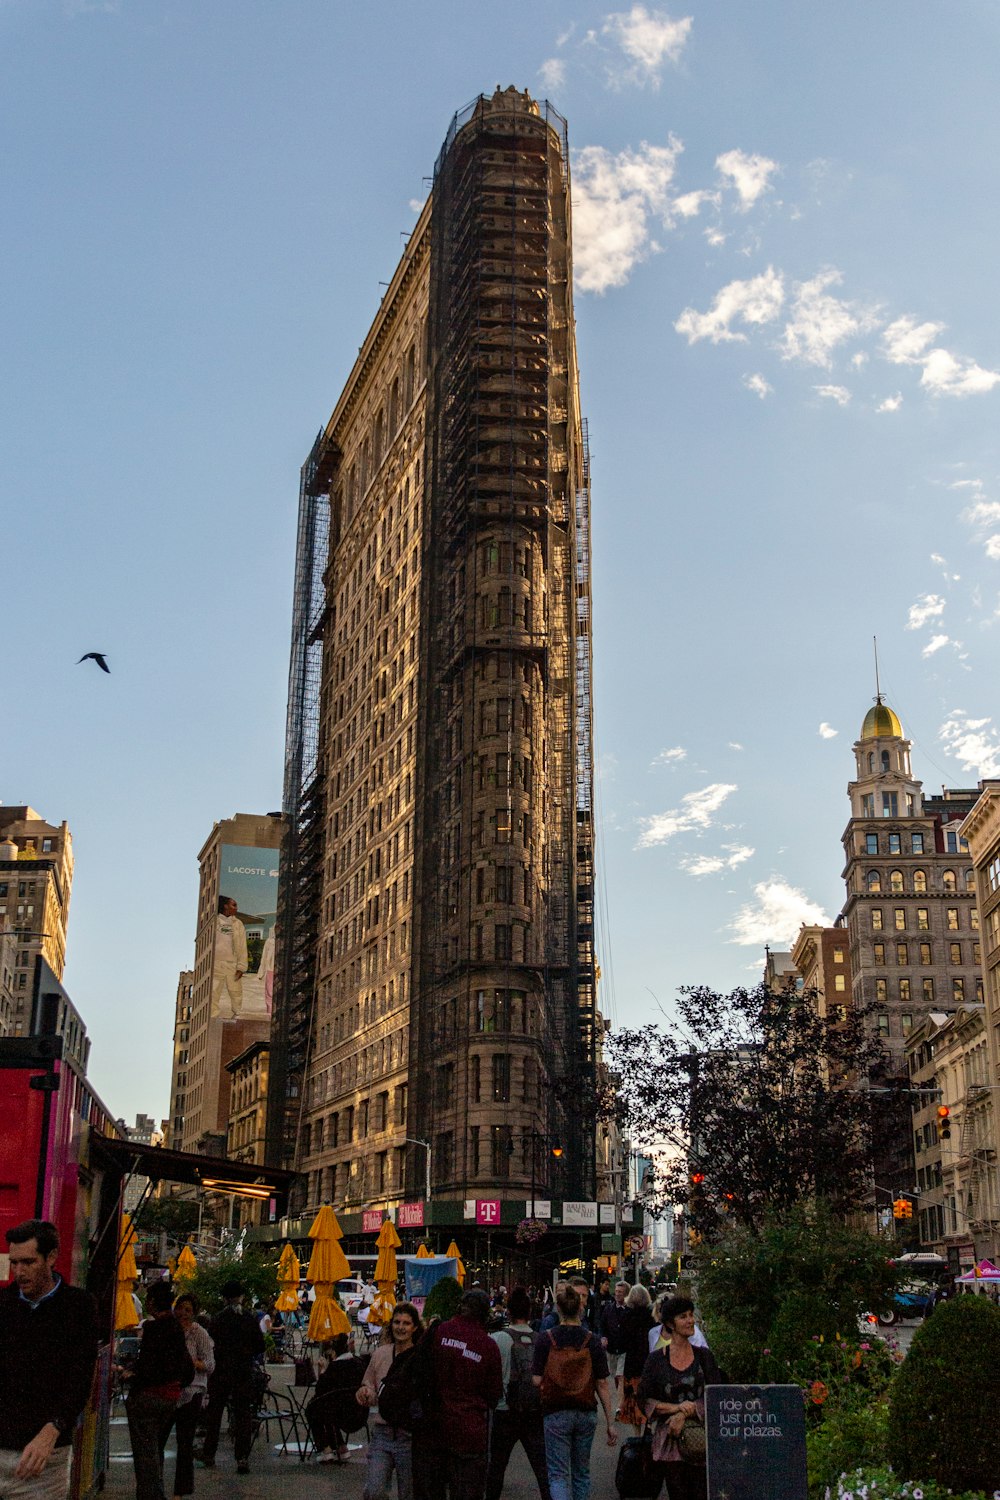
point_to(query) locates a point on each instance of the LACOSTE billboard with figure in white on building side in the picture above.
(244, 959)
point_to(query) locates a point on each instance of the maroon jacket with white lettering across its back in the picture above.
(469, 1378)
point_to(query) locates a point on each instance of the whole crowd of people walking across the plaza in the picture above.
(445, 1403)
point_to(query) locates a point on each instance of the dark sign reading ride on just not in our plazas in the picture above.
(756, 1442)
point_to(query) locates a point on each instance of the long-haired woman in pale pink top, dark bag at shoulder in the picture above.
(392, 1396)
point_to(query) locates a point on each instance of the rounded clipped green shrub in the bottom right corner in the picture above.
(942, 1406)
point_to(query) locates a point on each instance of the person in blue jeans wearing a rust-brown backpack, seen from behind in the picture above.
(570, 1370)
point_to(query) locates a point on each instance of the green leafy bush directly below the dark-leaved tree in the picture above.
(783, 1301)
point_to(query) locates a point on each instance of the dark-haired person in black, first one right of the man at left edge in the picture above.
(161, 1373)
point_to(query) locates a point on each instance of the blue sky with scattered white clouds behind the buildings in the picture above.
(785, 236)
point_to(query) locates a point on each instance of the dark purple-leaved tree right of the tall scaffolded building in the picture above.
(765, 1106)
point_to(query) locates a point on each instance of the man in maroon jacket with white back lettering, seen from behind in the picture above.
(452, 1450)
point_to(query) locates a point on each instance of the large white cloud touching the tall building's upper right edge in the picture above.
(614, 199)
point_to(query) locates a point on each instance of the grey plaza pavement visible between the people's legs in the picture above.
(283, 1477)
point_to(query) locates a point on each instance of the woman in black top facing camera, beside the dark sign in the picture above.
(672, 1391)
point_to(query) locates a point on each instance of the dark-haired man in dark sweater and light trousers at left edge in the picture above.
(49, 1351)
